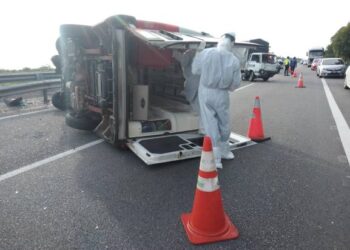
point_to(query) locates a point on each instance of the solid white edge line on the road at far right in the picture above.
(343, 127)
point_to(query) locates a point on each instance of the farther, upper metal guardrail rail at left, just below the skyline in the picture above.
(32, 76)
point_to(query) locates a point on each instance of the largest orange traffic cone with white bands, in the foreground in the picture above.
(208, 222)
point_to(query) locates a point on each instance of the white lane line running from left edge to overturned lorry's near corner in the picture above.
(47, 160)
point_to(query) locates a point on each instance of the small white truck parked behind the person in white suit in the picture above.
(260, 65)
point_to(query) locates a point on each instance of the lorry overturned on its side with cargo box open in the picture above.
(120, 80)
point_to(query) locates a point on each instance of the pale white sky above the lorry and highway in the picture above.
(29, 28)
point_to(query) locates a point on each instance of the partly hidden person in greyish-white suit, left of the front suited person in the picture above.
(191, 82)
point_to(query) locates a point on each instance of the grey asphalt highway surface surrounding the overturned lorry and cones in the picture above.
(291, 192)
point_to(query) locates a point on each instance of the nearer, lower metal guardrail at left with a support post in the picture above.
(28, 87)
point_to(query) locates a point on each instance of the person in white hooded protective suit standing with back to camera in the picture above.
(219, 73)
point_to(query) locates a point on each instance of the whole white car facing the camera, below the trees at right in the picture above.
(331, 67)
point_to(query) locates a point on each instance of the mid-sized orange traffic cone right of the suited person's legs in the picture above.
(256, 130)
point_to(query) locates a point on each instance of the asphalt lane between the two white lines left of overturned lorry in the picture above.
(34, 137)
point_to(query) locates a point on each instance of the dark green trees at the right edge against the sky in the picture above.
(340, 44)
